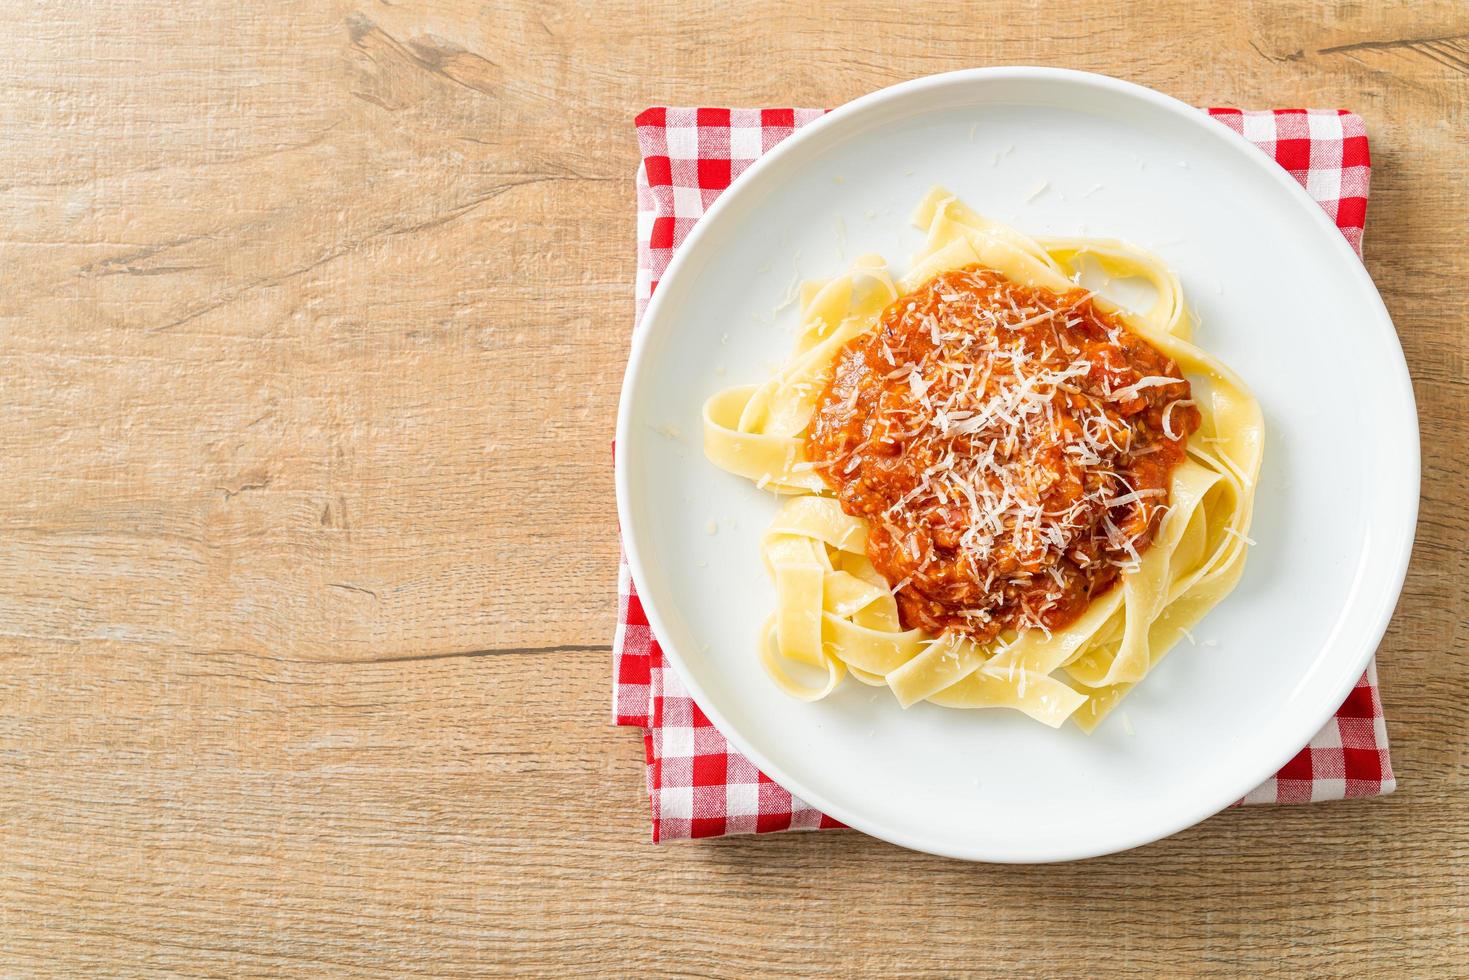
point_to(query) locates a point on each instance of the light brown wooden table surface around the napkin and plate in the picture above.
(314, 325)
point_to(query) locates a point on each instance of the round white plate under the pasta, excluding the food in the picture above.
(1282, 299)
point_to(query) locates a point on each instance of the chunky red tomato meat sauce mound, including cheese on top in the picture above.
(1010, 447)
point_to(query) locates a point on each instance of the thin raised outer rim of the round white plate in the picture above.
(1411, 480)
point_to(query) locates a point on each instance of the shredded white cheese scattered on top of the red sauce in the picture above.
(981, 394)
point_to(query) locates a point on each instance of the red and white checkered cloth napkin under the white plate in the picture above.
(701, 787)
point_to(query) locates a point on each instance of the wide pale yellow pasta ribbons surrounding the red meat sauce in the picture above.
(835, 610)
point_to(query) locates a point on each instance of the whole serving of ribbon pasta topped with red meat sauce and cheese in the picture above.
(1001, 489)
